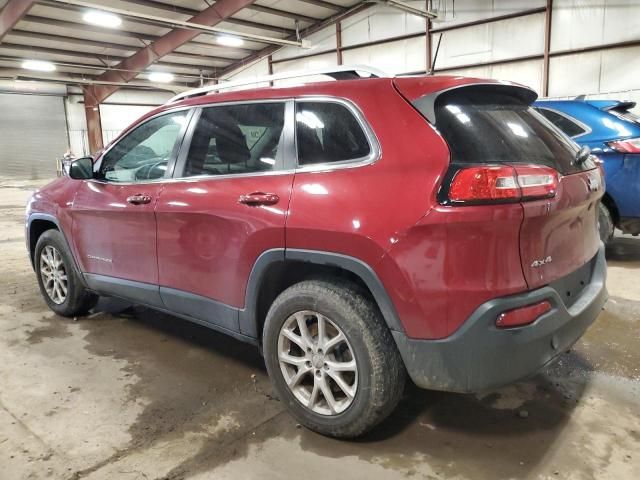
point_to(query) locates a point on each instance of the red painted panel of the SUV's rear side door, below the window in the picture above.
(208, 242)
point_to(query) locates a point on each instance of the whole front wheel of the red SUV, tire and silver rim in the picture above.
(60, 283)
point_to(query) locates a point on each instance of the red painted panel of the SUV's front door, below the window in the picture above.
(113, 237)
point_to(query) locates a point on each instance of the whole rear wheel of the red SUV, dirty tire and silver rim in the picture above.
(346, 388)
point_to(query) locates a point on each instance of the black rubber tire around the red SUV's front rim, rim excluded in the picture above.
(78, 299)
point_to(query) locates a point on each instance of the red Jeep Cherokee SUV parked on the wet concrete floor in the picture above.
(356, 230)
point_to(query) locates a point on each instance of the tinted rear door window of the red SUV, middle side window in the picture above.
(236, 139)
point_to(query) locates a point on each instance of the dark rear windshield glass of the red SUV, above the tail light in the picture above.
(485, 124)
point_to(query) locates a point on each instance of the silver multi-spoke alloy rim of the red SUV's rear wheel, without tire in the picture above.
(317, 363)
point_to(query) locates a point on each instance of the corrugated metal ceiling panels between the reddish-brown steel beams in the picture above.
(57, 33)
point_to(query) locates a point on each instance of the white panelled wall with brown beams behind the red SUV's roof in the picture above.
(576, 24)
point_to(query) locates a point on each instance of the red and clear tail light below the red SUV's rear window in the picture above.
(487, 184)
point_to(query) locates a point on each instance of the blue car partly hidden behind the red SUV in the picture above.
(612, 133)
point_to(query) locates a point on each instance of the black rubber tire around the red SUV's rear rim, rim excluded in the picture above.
(380, 371)
